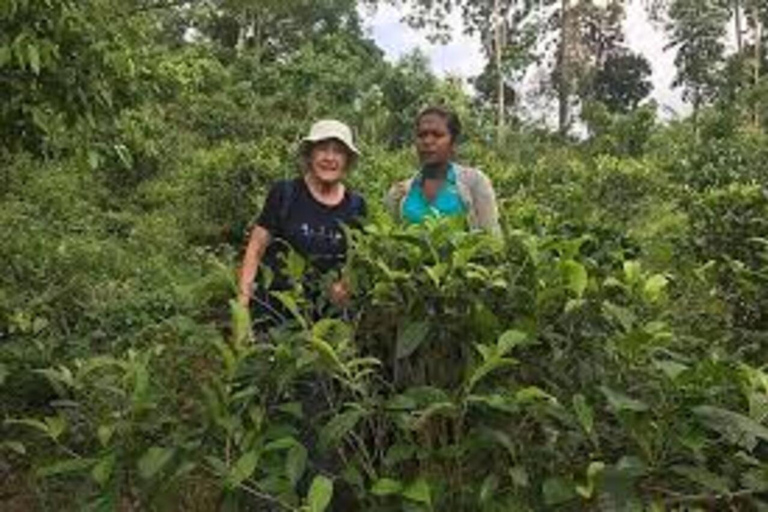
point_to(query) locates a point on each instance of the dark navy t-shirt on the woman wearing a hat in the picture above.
(310, 227)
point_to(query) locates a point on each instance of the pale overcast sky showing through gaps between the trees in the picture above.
(462, 55)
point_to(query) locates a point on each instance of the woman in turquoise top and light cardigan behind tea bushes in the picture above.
(442, 187)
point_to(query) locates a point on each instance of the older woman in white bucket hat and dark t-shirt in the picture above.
(306, 214)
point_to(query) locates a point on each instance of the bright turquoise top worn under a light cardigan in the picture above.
(447, 203)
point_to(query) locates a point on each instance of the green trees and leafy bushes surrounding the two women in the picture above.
(609, 354)
